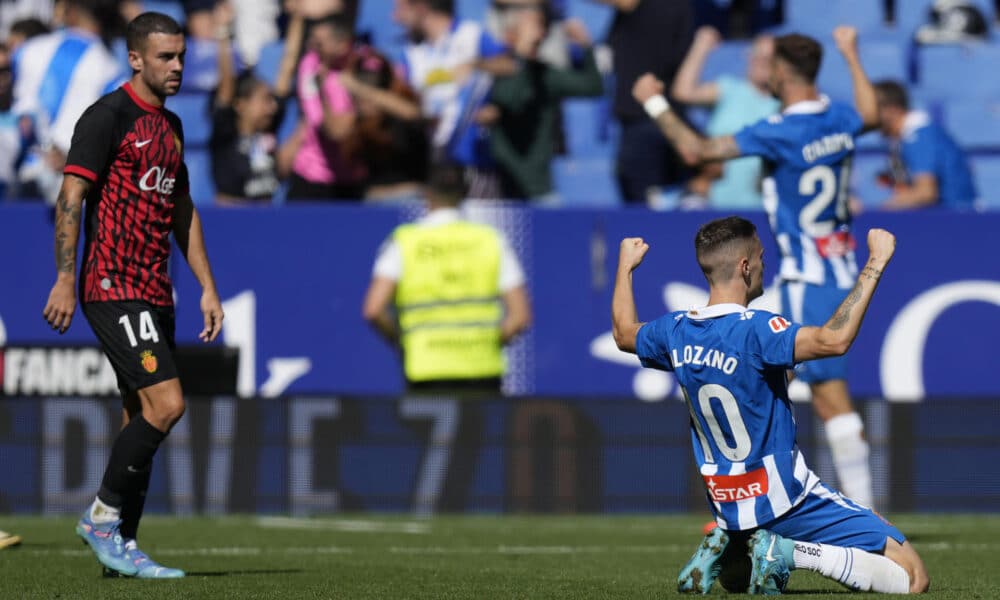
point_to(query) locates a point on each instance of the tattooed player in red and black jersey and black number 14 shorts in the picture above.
(127, 161)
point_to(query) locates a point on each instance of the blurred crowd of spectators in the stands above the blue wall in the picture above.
(339, 118)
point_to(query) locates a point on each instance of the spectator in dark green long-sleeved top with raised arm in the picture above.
(527, 102)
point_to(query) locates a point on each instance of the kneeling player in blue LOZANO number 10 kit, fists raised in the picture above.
(732, 364)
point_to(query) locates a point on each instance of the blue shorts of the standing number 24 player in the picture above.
(810, 304)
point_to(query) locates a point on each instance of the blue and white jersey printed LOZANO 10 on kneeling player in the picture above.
(731, 364)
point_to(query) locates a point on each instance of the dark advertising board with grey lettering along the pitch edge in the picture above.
(324, 454)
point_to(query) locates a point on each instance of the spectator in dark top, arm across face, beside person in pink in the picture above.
(389, 136)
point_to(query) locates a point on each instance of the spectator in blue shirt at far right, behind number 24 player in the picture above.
(927, 167)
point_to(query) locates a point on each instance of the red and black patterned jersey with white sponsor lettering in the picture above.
(133, 153)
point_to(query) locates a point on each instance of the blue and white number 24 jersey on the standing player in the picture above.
(807, 152)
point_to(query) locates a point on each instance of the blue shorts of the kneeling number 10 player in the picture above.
(826, 517)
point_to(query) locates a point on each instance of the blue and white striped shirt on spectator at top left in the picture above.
(57, 76)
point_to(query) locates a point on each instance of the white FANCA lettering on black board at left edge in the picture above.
(47, 371)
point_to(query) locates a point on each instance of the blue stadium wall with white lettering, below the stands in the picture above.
(293, 278)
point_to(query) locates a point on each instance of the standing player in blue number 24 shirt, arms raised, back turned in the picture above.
(807, 151)
